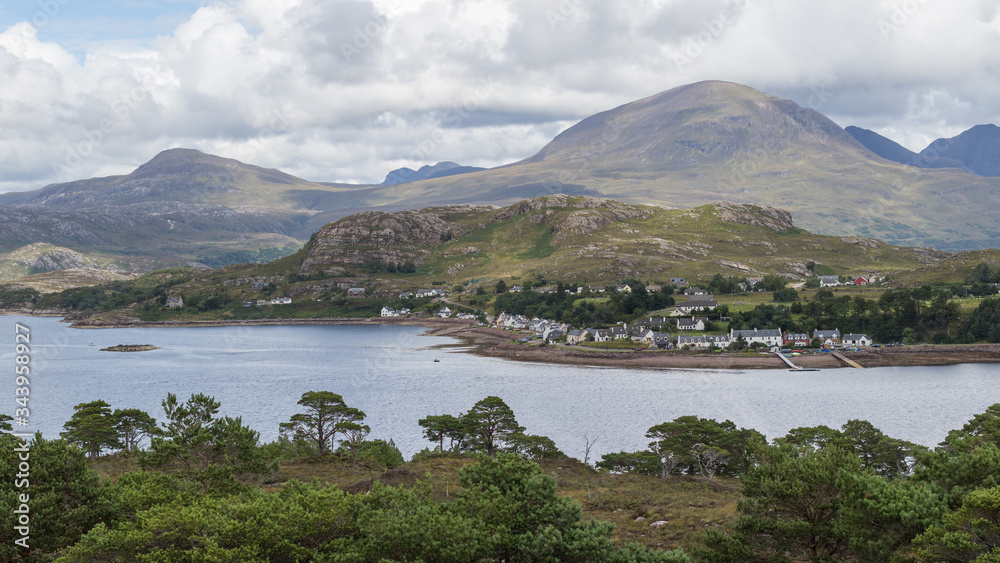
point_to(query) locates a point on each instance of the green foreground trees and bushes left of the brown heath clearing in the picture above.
(197, 496)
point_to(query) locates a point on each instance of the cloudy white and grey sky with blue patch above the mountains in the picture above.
(347, 90)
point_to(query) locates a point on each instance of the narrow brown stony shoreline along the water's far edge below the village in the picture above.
(498, 343)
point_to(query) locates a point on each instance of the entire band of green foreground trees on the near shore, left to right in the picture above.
(815, 494)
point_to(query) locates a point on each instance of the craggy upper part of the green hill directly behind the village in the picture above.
(593, 239)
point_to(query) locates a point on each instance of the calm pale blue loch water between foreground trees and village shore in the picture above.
(389, 372)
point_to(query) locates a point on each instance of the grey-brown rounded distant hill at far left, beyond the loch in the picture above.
(181, 207)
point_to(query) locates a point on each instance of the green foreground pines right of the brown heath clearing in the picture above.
(849, 494)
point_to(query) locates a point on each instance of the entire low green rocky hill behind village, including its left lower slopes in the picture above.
(543, 240)
